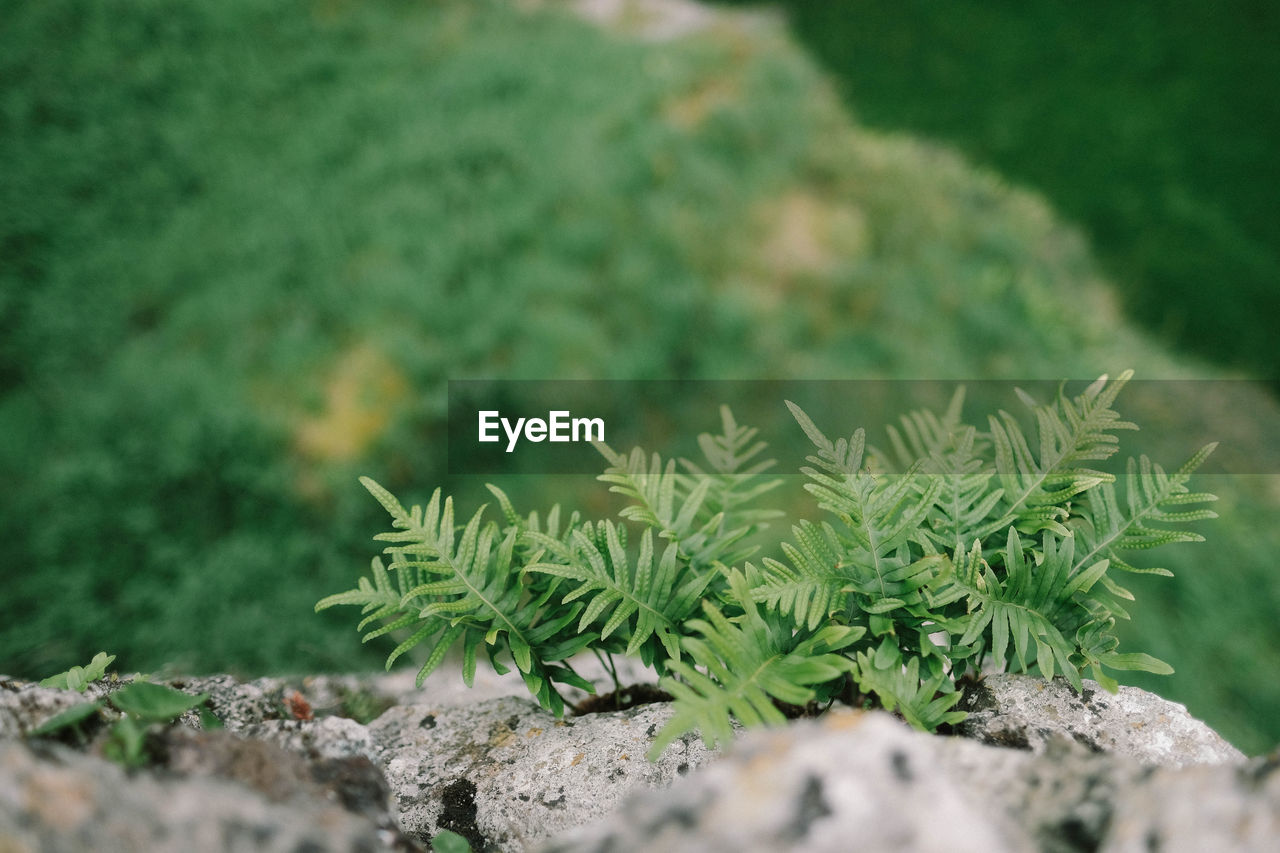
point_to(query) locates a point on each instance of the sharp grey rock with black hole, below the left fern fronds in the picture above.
(508, 776)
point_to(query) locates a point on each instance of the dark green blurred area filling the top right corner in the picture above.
(1148, 122)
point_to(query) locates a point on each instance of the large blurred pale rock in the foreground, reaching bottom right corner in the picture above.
(866, 782)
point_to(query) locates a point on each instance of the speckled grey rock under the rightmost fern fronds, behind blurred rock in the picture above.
(1027, 713)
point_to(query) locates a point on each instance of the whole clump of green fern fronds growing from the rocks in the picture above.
(959, 551)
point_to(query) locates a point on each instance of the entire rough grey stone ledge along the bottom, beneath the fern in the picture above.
(1036, 768)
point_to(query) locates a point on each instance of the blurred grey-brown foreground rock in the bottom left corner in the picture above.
(56, 800)
